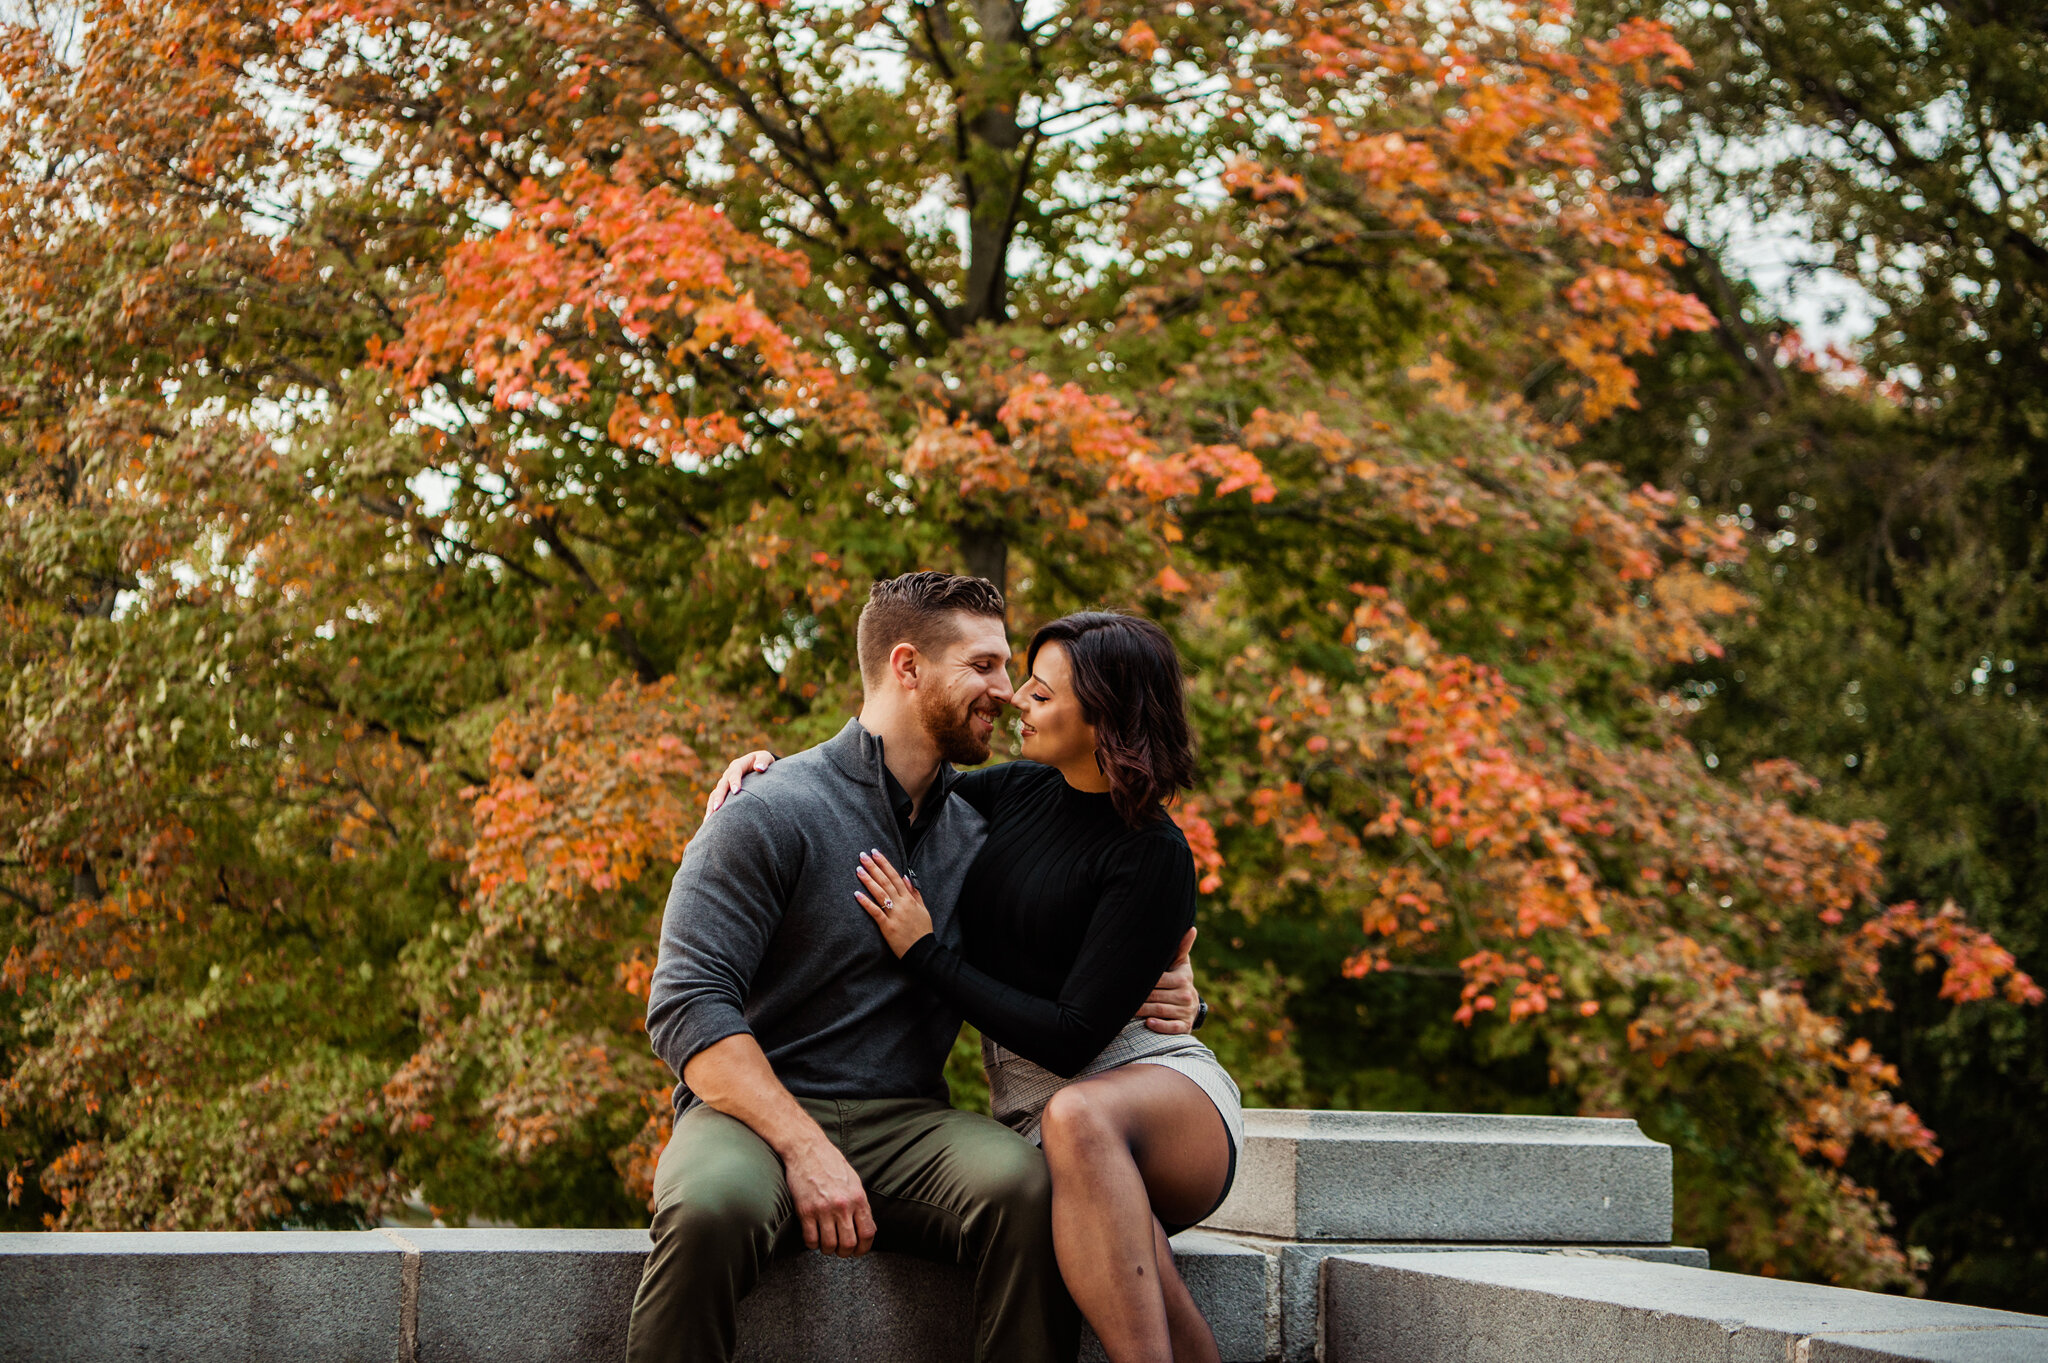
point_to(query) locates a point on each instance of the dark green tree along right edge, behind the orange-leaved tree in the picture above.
(1885, 163)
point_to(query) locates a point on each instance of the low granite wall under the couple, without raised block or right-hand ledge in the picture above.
(495, 1296)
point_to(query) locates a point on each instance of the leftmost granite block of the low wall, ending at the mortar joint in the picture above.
(200, 1299)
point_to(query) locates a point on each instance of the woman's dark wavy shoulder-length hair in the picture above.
(1129, 683)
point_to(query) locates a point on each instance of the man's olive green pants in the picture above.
(943, 1184)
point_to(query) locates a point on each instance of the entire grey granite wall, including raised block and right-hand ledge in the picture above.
(1351, 1239)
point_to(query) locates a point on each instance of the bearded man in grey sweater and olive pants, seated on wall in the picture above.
(812, 1100)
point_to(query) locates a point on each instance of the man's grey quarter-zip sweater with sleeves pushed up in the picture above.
(763, 932)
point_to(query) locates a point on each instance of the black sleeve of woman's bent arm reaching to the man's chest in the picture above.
(1146, 906)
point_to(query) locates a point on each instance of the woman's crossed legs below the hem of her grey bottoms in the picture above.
(1127, 1151)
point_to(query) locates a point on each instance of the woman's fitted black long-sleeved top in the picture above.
(1066, 918)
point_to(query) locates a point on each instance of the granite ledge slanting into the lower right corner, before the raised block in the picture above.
(1525, 1309)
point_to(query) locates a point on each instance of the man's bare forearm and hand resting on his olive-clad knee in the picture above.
(734, 1078)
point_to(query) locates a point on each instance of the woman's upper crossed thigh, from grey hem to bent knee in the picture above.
(1170, 1127)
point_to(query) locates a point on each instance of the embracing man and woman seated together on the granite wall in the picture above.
(841, 914)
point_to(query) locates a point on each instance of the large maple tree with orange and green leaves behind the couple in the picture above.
(437, 433)
